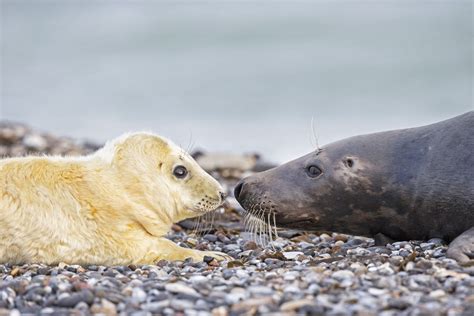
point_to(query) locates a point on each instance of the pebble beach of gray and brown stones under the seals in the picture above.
(294, 273)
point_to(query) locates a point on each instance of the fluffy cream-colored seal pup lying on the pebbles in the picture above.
(110, 208)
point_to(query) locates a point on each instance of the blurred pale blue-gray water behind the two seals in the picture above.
(233, 75)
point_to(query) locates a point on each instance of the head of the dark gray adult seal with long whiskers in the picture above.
(345, 187)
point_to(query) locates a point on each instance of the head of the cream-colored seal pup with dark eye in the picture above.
(160, 176)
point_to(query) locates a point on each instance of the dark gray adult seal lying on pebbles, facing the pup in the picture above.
(409, 184)
